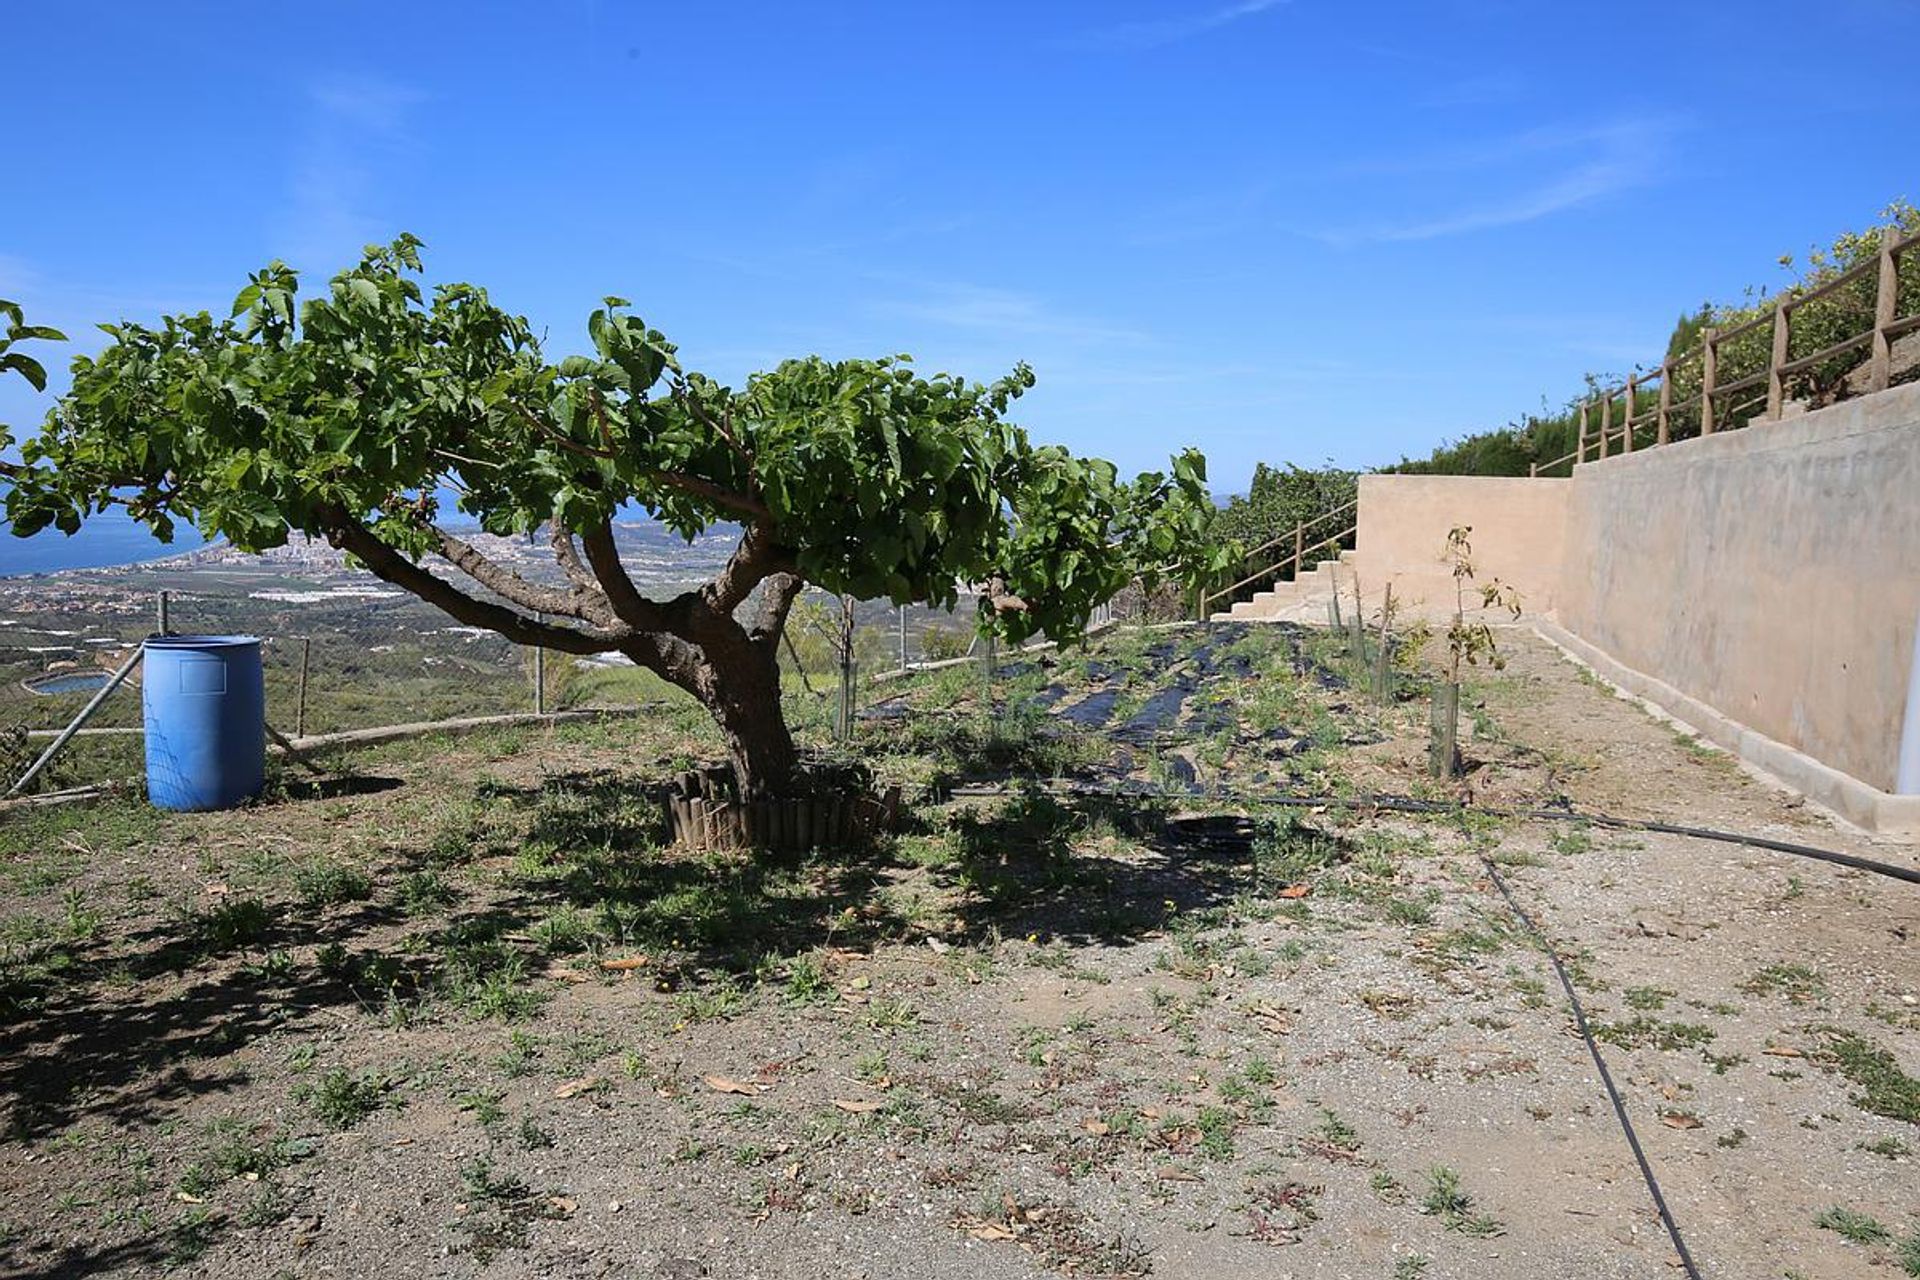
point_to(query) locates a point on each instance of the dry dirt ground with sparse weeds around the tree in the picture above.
(1097, 1012)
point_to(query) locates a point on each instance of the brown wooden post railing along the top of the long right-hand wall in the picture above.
(1650, 415)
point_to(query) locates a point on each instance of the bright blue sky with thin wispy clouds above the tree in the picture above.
(1284, 231)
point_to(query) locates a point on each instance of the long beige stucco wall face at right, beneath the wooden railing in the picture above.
(1771, 573)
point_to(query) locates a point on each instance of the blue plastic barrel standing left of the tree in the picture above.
(206, 721)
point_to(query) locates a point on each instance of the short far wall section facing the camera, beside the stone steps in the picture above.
(1518, 536)
